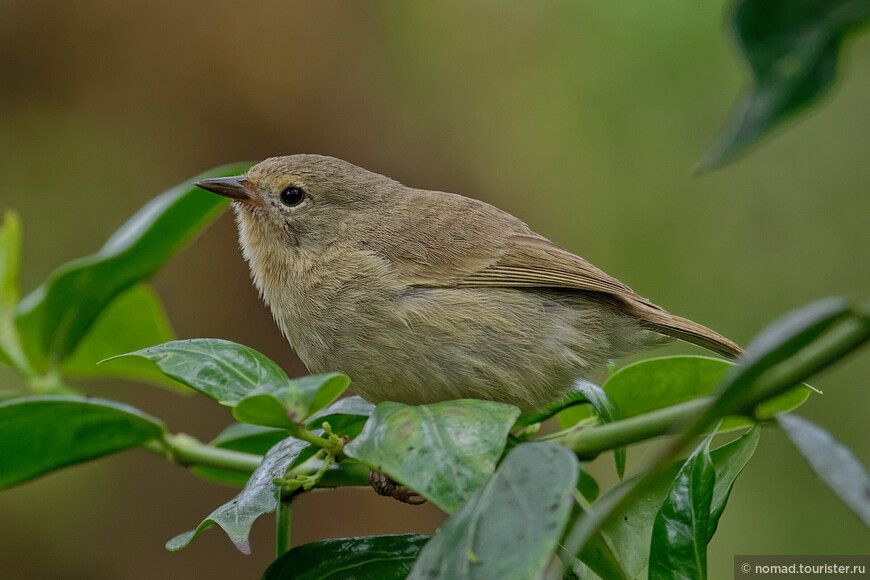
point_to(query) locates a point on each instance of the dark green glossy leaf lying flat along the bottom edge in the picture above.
(367, 558)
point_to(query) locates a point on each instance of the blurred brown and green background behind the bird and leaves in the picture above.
(583, 118)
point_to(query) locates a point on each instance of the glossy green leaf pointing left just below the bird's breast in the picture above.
(223, 370)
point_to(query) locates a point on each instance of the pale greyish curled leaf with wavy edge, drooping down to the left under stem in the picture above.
(259, 496)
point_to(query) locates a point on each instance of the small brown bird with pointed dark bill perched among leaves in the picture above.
(423, 296)
